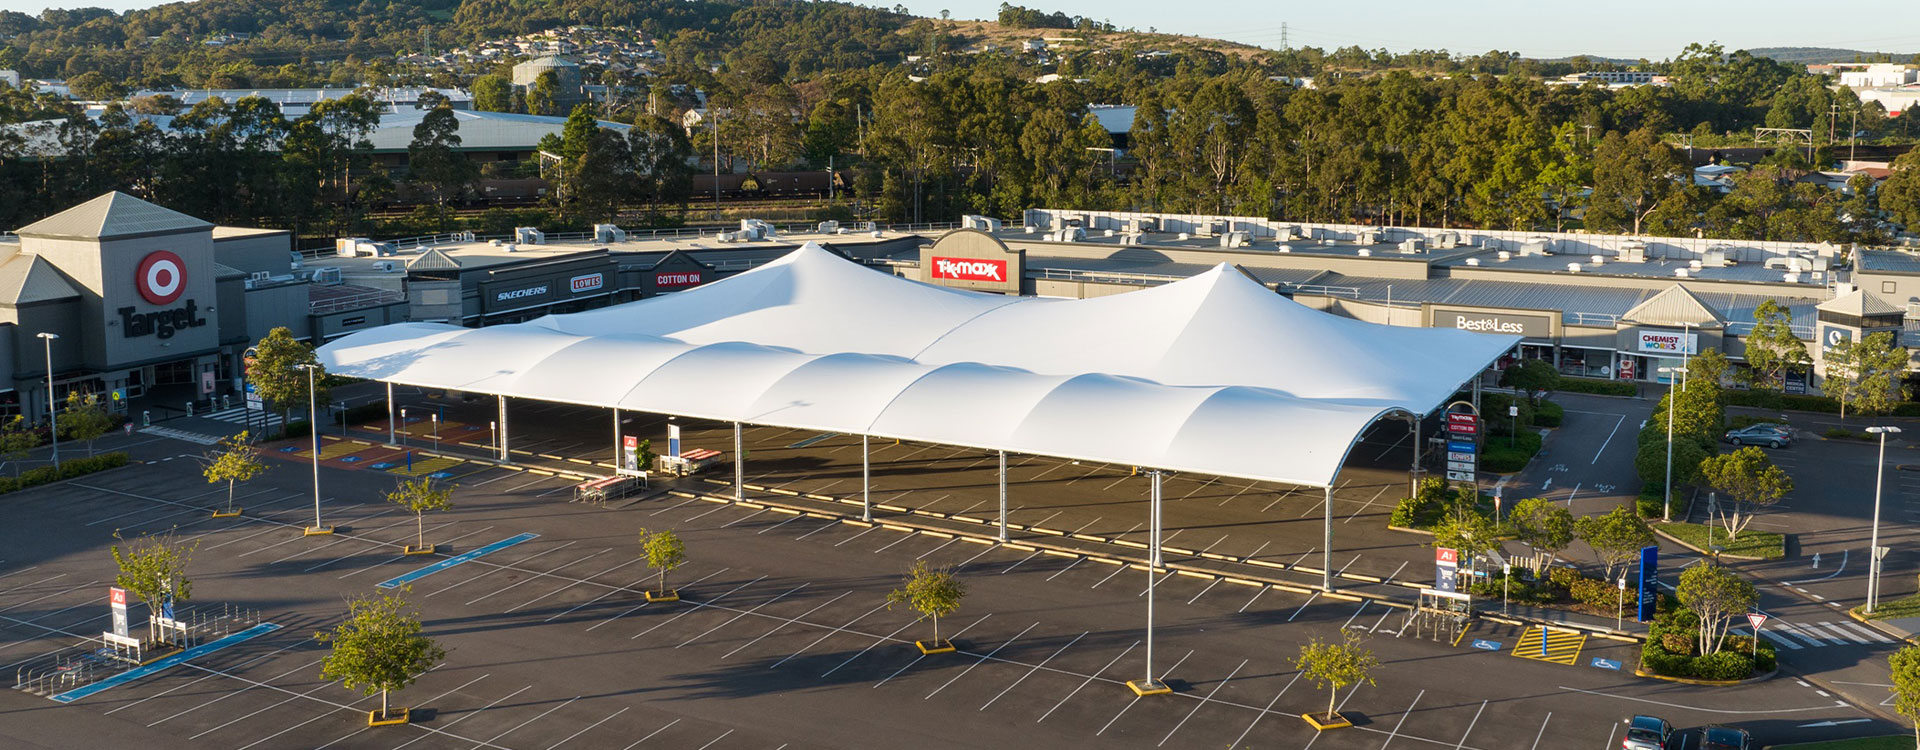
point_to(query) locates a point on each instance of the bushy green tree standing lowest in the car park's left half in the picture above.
(379, 649)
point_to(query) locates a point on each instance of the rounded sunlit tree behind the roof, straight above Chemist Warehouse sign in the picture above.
(1633, 176)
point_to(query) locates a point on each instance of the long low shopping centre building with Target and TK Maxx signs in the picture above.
(145, 298)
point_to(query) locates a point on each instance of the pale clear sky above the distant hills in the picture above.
(1537, 30)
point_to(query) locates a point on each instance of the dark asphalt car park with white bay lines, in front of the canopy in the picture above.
(782, 640)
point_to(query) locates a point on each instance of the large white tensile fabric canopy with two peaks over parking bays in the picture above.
(1211, 375)
